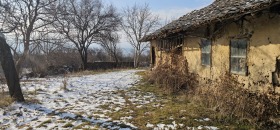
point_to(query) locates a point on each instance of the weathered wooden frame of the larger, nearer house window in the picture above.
(239, 57)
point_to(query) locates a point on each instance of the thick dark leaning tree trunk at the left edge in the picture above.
(9, 69)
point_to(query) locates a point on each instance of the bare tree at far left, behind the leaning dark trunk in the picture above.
(25, 16)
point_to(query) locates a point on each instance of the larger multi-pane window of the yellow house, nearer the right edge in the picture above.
(238, 56)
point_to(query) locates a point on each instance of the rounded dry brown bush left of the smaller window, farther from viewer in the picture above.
(175, 76)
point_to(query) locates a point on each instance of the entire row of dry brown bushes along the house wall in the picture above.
(225, 95)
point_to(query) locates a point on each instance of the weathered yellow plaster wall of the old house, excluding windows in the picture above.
(264, 47)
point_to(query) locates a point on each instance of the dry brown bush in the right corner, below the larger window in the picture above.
(229, 98)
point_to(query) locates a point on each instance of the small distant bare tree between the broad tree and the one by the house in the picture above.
(109, 44)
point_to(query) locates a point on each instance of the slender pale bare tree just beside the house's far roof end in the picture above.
(138, 21)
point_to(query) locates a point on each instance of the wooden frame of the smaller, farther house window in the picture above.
(208, 52)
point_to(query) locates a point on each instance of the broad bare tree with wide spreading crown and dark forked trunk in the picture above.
(84, 22)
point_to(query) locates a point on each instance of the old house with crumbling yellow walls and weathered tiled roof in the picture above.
(241, 37)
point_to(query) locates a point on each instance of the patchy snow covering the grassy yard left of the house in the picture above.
(80, 106)
